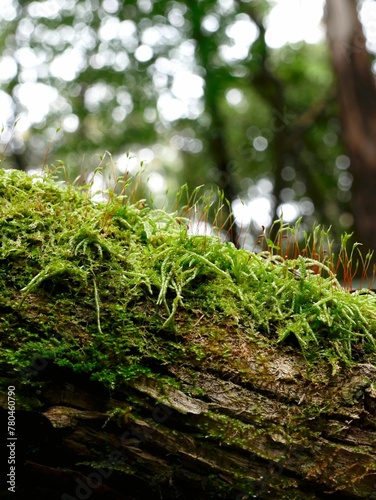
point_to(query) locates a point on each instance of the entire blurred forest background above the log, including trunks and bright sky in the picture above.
(220, 93)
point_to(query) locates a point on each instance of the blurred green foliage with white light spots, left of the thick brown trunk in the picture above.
(107, 94)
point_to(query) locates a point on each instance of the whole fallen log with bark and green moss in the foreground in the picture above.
(127, 387)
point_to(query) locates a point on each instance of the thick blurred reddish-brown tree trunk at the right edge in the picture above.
(357, 96)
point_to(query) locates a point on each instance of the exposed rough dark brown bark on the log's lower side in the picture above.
(274, 438)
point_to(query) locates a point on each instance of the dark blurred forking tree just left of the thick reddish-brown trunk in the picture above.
(287, 127)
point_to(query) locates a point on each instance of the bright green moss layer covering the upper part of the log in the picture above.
(117, 287)
